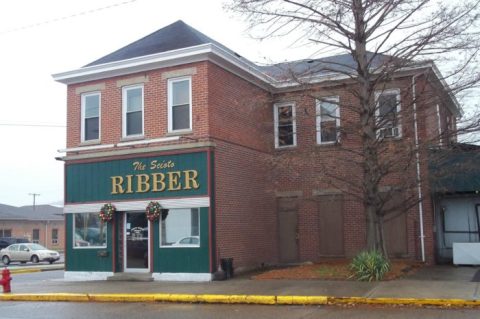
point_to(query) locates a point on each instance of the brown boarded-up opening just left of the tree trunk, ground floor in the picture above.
(330, 213)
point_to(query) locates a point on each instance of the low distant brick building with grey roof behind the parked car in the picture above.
(43, 225)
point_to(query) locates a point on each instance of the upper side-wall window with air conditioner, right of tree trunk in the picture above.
(388, 113)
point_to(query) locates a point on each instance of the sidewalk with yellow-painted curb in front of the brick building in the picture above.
(437, 285)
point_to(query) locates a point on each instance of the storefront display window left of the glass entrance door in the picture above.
(89, 232)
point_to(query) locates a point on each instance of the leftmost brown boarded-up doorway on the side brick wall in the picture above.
(287, 230)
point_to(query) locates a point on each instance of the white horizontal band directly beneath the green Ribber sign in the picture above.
(140, 205)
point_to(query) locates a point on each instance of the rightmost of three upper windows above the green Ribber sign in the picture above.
(179, 104)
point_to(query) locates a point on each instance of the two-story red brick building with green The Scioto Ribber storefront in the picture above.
(234, 153)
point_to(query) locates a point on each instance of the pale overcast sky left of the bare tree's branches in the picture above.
(40, 38)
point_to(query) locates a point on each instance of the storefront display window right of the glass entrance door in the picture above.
(180, 228)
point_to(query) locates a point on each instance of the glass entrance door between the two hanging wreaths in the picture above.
(136, 242)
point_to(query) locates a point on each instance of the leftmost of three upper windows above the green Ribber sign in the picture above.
(90, 130)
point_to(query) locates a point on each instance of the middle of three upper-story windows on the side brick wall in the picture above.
(328, 120)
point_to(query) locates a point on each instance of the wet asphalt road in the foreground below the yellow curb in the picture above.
(49, 310)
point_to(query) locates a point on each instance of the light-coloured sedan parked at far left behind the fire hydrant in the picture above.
(28, 252)
